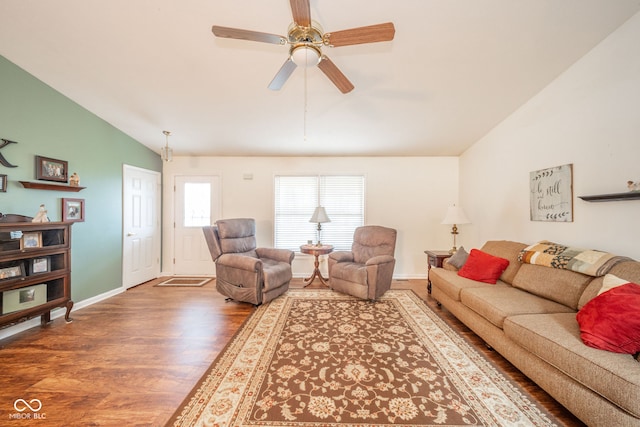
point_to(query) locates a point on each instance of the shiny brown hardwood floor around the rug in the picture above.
(131, 360)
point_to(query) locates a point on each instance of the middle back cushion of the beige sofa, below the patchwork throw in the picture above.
(562, 286)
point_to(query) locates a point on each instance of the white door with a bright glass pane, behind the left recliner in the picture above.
(197, 203)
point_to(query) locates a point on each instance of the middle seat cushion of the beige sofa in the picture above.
(496, 303)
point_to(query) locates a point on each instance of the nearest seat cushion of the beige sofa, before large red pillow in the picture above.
(555, 338)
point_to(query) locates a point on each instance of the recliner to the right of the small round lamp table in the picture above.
(367, 270)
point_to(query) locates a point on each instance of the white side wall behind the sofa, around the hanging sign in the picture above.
(590, 117)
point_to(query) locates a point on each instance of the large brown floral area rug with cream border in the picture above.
(317, 357)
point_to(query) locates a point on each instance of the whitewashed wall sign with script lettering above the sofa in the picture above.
(551, 194)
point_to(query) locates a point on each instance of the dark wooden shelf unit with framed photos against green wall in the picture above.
(37, 279)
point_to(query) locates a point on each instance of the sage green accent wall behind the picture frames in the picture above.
(44, 122)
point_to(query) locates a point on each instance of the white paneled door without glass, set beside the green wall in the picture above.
(141, 226)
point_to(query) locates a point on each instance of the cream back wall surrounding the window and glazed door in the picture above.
(410, 194)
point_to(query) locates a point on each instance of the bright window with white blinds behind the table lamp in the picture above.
(296, 197)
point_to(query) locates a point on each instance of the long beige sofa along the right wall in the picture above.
(529, 317)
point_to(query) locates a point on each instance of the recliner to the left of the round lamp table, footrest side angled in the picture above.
(245, 272)
